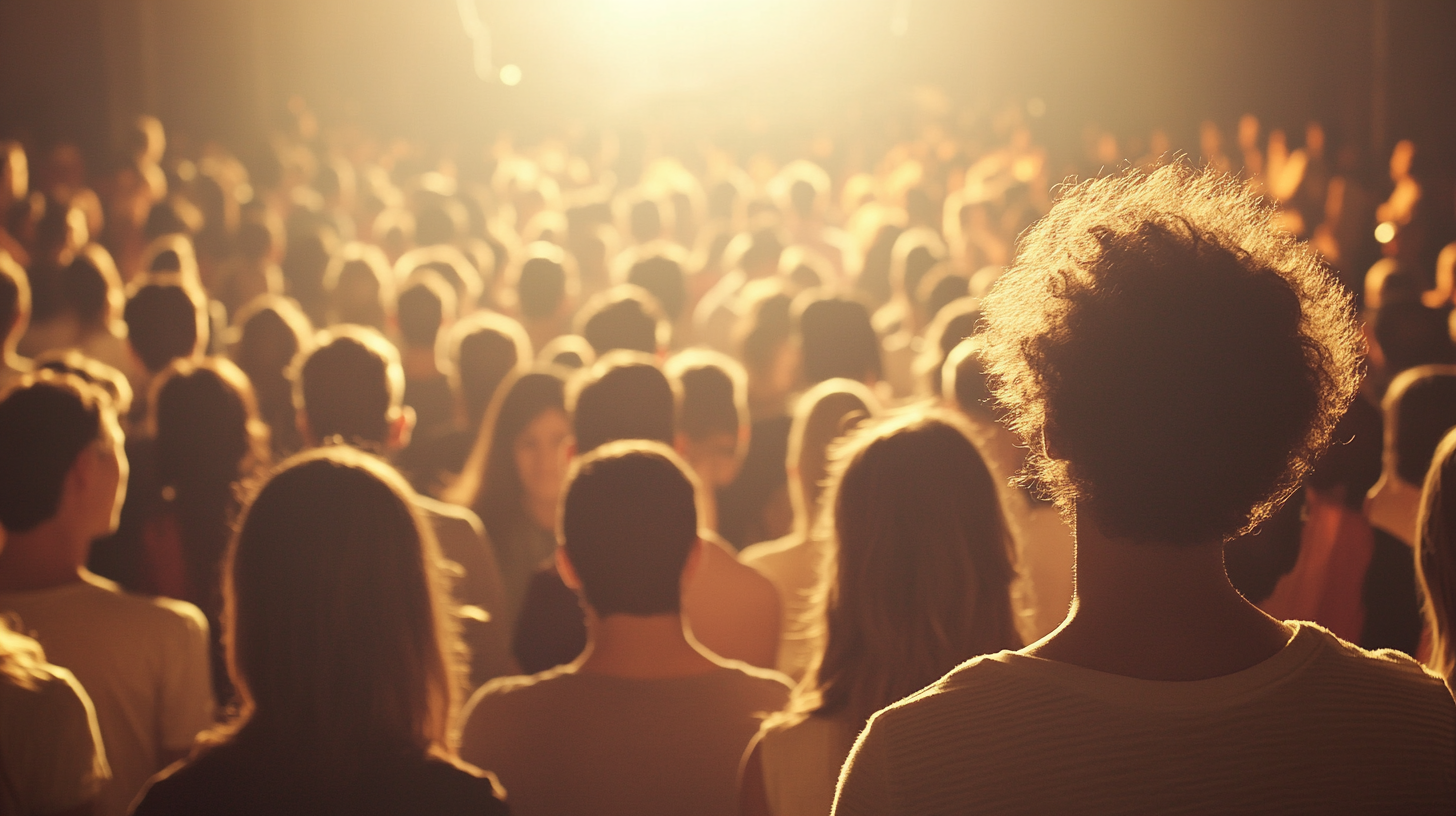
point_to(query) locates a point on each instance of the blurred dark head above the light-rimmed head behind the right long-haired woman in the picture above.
(836, 340)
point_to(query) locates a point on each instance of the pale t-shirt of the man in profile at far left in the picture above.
(143, 662)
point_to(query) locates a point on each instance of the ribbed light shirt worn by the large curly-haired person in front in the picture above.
(1320, 728)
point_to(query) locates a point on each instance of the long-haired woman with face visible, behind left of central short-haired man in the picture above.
(515, 476)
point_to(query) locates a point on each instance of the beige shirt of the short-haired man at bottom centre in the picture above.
(564, 742)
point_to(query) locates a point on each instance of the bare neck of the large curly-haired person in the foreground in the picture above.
(1158, 611)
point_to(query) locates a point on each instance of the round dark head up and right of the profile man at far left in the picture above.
(165, 321)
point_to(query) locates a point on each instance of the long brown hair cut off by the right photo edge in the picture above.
(1436, 556)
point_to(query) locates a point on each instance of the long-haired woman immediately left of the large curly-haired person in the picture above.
(921, 582)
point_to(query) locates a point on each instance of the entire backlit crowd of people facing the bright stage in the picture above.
(579, 479)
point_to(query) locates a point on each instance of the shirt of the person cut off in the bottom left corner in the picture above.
(50, 744)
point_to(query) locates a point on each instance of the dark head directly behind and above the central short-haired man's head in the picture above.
(624, 396)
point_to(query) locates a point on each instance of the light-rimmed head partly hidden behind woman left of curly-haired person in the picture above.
(823, 415)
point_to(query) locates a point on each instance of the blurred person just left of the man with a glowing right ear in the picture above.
(272, 333)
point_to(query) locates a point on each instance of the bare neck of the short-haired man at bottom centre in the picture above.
(643, 646)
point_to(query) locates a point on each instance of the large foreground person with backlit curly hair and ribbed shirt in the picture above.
(1167, 426)
